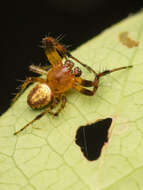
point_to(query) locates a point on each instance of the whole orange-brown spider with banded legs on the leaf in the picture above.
(60, 78)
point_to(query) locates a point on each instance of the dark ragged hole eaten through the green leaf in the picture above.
(91, 138)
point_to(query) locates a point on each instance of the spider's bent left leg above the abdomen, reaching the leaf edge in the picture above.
(25, 84)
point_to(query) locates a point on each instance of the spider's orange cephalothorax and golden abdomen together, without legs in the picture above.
(59, 79)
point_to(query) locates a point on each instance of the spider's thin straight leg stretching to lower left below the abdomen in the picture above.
(48, 110)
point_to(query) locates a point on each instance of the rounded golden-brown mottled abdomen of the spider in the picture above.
(39, 96)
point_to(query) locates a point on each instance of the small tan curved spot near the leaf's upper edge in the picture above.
(127, 41)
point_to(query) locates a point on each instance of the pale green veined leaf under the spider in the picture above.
(47, 158)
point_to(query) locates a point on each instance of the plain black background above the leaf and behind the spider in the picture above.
(24, 24)
